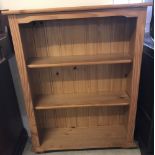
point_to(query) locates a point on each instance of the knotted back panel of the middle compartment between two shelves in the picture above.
(79, 79)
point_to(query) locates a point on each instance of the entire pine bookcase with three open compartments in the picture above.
(79, 69)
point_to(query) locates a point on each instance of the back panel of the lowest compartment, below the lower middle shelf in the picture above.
(82, 117)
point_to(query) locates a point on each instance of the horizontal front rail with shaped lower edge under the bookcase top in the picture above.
(27, 18)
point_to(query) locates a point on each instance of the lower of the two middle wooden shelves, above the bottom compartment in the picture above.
(83, 100)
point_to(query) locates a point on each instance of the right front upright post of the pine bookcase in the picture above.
(135, 74)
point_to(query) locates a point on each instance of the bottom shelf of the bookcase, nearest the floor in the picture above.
(83, 138)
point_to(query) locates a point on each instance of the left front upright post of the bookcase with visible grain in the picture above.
(24, 79)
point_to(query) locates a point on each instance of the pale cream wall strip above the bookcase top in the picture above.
(33, 4)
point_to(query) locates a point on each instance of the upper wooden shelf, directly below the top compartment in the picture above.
(57, 61)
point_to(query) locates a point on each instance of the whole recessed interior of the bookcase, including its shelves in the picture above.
(80, 72)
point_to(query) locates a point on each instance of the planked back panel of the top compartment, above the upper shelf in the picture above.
(106, 35)
